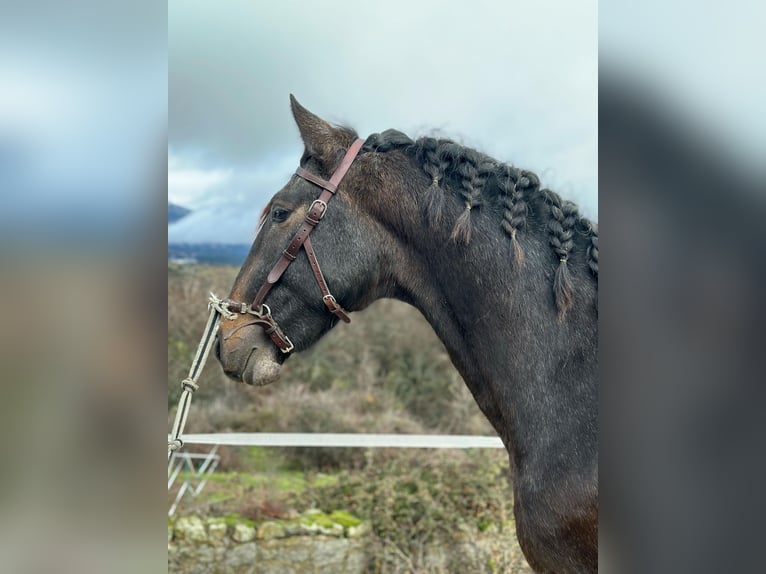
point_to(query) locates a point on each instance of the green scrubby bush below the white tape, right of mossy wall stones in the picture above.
(421, 499)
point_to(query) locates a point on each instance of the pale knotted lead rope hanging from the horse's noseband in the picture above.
(189, 384)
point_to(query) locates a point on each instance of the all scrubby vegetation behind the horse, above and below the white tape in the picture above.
(374, 375)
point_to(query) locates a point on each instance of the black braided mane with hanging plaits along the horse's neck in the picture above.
(476, 180)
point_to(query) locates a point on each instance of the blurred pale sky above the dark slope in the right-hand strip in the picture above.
(702, 61)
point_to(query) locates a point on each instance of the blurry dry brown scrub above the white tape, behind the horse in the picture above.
(363, 377)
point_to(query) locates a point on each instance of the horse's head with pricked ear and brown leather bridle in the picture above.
(292, 288)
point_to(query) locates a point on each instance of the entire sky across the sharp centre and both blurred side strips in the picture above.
(93, 94)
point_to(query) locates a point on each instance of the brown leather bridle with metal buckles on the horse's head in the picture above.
(316, 212)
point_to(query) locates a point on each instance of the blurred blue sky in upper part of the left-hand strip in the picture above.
(83, 104)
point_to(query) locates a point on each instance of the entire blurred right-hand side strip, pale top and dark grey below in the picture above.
(681, 190)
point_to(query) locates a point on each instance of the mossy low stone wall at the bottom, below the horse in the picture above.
(317, 543)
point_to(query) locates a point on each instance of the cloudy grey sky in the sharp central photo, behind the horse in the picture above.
(517, 80)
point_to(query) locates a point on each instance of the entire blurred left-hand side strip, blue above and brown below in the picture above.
(83, 130)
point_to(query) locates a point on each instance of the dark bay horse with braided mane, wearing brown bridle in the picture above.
(503, 269)
